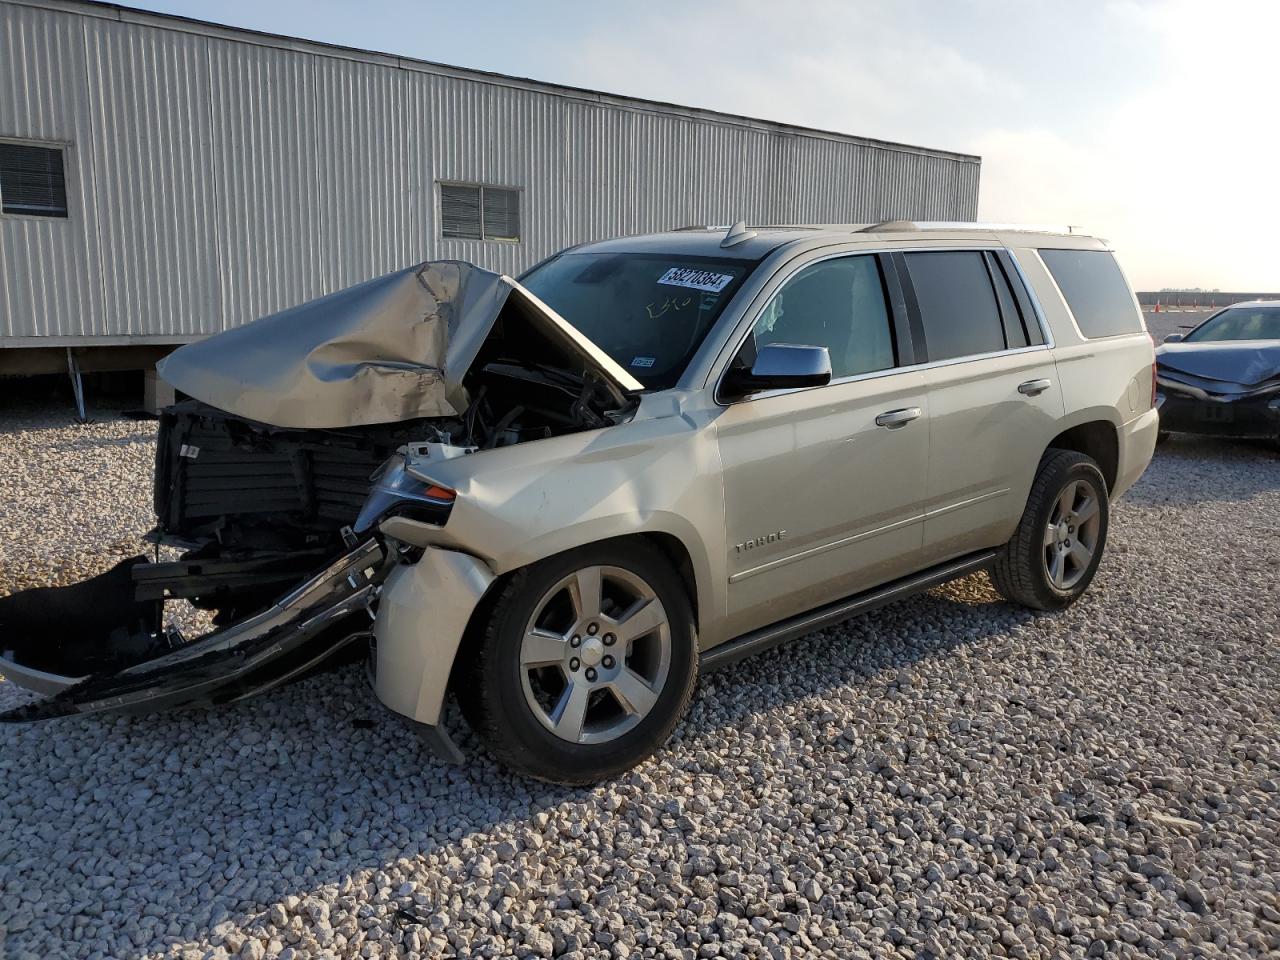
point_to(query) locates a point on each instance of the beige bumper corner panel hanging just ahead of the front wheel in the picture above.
(422, 616)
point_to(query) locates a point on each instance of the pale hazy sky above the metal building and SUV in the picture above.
(1150, 124)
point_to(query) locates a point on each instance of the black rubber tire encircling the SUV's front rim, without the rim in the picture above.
(537, 749)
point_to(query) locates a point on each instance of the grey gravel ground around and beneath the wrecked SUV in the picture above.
(948, 778)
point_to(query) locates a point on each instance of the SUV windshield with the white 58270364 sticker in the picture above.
(650, 313)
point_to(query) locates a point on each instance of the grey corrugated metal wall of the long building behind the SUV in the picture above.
(213, 180)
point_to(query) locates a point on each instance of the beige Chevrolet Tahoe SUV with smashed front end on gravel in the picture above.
(561, 499)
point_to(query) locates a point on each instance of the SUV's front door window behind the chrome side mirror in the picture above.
(839, 305)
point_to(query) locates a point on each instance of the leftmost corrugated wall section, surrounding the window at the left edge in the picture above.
(51, 273)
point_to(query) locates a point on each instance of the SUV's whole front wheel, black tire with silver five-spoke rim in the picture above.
(510, 691)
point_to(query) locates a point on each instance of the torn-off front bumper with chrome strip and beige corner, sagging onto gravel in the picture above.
(423, 611)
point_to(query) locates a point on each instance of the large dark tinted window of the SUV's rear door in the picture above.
(957, 303)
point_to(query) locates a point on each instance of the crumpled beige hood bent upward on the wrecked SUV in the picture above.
(390, 350)
